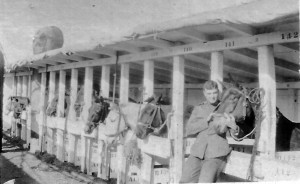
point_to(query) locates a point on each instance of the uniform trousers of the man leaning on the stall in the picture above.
(198, 170)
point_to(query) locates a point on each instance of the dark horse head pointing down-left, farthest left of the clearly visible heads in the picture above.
(97, 114)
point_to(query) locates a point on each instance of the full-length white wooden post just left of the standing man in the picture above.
(176, 163)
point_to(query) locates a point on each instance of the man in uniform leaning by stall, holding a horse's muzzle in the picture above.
(209, 152)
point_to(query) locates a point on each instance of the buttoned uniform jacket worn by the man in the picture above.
(211, 140)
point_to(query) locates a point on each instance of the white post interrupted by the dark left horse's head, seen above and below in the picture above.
(104, 157)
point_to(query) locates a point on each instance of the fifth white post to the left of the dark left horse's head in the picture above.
(42, 119)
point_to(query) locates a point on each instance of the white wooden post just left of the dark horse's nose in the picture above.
(88, 89)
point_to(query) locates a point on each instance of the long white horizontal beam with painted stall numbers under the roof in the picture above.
(210, 46)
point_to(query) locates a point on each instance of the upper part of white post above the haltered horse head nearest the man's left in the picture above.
(148, 79)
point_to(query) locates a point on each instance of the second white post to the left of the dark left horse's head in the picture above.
(72, 115)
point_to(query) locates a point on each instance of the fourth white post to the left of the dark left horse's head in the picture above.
(50, 132)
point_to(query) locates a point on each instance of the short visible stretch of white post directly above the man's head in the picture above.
(216, 67)
